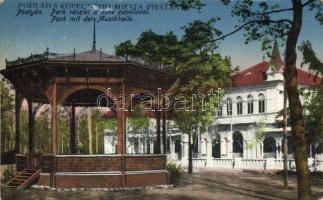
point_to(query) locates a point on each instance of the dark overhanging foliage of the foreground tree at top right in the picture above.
(259, 20)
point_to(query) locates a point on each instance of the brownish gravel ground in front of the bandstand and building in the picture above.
(224, 184)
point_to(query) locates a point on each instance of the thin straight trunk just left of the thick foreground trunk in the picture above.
(285, 146)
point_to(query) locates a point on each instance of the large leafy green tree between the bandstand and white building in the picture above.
(198, 68)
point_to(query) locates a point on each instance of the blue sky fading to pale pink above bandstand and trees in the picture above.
(21, 36)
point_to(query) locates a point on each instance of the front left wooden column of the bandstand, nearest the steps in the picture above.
(53, 118)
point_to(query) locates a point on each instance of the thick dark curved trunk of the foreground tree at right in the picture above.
(296, 110)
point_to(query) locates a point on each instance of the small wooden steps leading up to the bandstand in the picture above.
(23, 179)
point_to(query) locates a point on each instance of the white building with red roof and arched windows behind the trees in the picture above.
(245, 133)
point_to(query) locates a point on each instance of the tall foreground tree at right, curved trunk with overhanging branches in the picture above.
(261, 21)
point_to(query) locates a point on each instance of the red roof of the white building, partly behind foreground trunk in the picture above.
(257, 74)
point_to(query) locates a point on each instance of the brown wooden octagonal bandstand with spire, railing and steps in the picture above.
(77, 80)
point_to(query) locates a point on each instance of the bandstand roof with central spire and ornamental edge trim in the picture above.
(32, 76)
